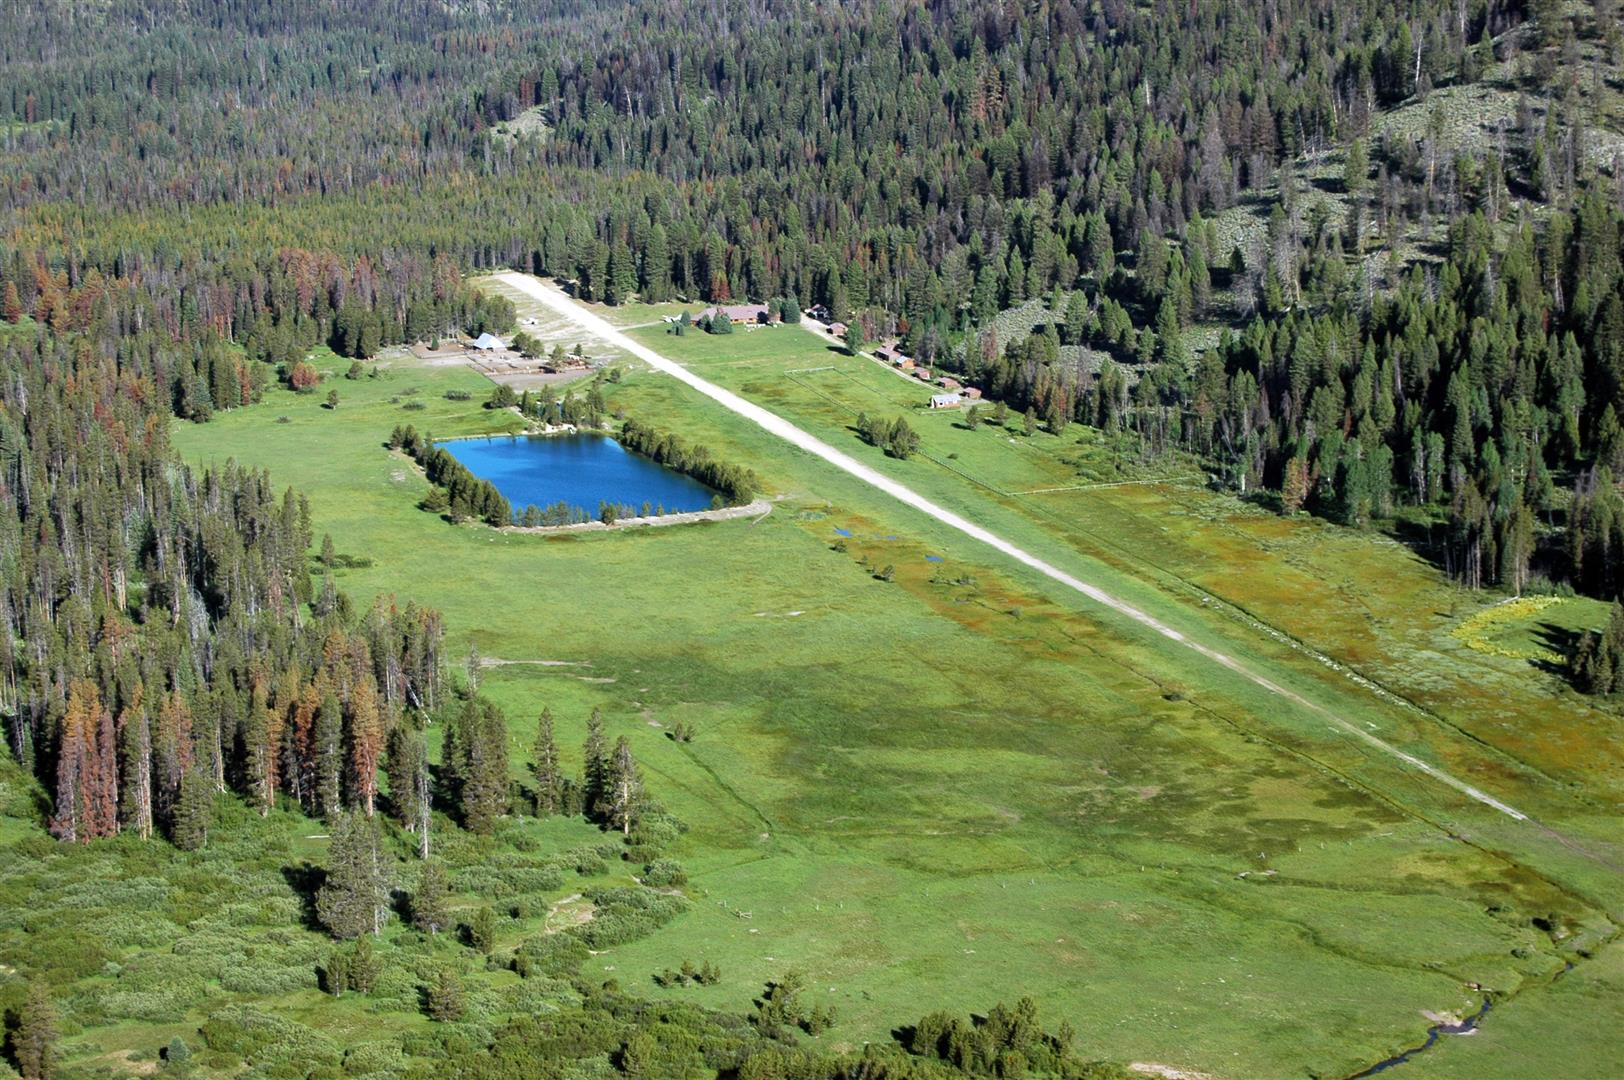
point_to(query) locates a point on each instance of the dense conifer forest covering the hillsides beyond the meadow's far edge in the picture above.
(917, 170)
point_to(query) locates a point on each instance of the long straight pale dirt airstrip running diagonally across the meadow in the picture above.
(558, 301)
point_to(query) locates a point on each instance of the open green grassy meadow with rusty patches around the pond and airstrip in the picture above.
(957, 788)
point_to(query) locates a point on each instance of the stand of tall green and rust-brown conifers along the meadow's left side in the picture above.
(155, 637)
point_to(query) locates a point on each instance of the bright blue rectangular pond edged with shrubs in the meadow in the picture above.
(577, 470)
